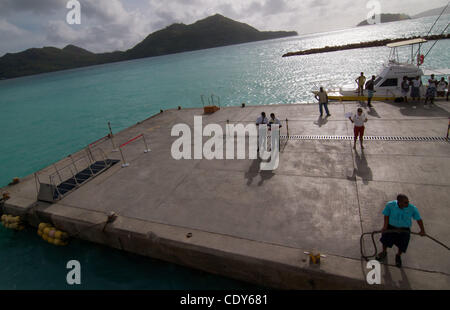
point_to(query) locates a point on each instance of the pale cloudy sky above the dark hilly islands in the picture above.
(109, 25)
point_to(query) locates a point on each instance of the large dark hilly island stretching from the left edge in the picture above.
(213, 31)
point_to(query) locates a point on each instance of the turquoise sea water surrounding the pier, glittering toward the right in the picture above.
(44, 118)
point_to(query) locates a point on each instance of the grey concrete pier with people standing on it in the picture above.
(227, 217)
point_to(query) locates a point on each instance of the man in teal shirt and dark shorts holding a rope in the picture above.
(397, 216)
